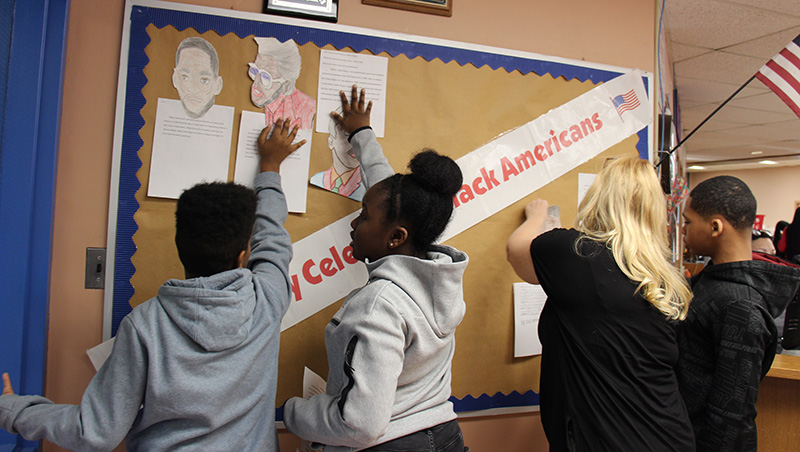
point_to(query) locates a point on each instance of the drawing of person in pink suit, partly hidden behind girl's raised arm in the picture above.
(344, 175)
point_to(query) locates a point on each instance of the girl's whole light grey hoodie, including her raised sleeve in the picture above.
(389, 347)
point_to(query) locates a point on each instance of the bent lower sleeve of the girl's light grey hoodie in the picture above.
(373, 358)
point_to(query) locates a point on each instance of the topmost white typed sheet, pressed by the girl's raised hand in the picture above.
(338, 71)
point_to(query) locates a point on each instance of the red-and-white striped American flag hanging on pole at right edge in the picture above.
(782, 75)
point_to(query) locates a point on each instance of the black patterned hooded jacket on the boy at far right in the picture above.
(727, 345)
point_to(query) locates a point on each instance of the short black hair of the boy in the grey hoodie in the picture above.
(213, 224)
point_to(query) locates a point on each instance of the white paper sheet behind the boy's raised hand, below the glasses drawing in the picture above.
(294, 170)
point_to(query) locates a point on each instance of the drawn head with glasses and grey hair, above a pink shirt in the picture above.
(274, 71)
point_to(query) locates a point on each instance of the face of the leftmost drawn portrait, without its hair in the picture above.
(195, 81)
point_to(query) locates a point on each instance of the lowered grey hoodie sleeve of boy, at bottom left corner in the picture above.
(107, 410)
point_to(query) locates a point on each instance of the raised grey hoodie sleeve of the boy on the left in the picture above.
(271, 246)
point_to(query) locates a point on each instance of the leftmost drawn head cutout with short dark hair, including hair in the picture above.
(196, 75)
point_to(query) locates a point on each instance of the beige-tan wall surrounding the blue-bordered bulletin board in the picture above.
(578, 29)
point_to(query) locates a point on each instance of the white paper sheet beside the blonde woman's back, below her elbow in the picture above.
(528, 303)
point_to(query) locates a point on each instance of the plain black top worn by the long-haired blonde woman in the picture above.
(608, 356)
